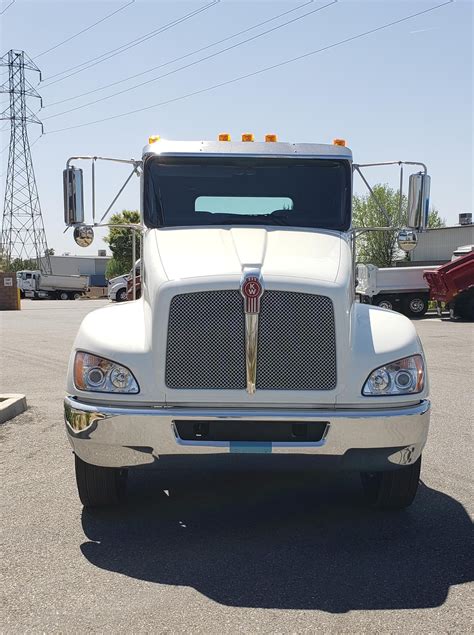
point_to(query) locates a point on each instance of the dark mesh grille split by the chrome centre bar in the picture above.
(206, 342)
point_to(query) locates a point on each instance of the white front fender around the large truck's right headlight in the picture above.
(377, 337)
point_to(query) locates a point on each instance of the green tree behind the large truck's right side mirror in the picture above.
(380, 248)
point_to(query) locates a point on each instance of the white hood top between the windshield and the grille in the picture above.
(217, 251)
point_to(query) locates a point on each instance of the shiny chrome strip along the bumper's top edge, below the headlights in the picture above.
(250, 413)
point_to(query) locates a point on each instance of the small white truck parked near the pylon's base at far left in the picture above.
(38, 285)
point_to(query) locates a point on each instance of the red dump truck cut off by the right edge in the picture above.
(453, 284)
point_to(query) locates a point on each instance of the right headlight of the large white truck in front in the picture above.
(404, 377)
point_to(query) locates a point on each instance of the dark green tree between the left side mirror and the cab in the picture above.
(120, 240)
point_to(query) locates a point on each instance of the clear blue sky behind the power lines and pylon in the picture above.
(402, 93)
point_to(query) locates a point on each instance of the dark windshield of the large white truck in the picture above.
(226, 191)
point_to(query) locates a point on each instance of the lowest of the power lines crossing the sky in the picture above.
(259, 72)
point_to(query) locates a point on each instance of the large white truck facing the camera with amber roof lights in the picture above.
(247, 337)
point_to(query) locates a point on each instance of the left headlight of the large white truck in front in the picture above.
(101, 375)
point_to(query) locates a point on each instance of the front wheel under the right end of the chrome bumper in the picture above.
(395, 489)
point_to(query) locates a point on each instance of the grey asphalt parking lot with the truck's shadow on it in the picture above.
(231, 550)
